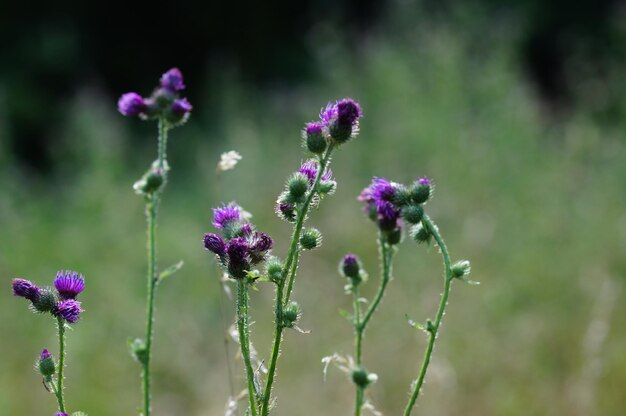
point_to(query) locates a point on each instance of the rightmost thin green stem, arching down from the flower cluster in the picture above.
(433, 328)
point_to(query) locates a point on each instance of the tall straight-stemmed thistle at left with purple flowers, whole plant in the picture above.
(166, 107)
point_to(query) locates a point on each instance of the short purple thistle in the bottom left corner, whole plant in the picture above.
(62, 305)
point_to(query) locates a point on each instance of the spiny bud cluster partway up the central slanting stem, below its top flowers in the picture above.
(299, 185)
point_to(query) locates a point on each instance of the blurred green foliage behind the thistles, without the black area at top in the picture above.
(537, 205)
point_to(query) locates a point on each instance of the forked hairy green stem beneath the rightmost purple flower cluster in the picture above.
(386, 254)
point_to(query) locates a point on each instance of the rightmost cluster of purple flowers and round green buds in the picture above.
(389, 204)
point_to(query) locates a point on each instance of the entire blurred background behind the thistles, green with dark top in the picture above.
(517, 115)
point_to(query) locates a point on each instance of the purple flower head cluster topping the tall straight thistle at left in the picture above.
(164, 103)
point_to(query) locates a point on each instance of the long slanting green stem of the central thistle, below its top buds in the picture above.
(287, 268)
